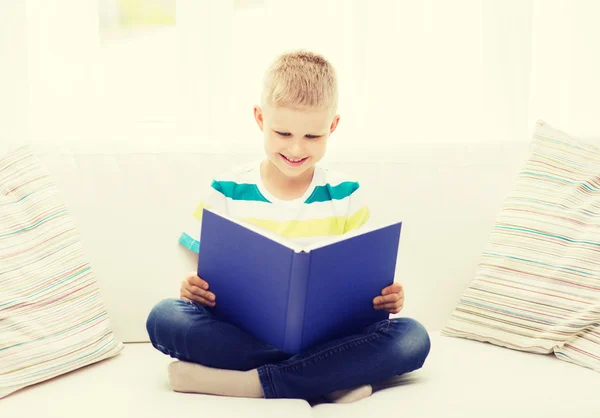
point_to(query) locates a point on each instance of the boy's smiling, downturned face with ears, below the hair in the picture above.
(295, 140)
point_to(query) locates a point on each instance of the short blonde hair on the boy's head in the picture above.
(301, 79)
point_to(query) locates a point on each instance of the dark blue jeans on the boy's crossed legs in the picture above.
(188, 331)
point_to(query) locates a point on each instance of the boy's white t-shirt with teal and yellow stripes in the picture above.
(332, 205)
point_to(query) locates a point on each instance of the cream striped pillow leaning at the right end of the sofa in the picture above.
(537, 287)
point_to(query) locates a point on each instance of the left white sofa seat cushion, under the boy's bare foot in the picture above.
(134, 384)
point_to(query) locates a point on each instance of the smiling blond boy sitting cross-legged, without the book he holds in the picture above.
(292, 196)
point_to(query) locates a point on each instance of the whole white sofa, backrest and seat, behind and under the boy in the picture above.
(130, 201)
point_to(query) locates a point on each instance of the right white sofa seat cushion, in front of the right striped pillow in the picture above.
(468, 379)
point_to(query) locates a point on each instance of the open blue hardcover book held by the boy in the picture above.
(290, 297)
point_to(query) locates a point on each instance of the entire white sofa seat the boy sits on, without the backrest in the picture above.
(461, 378)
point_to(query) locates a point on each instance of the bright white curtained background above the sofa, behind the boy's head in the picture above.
(427, 70)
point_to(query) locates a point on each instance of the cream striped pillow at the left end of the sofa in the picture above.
(51, 318)
